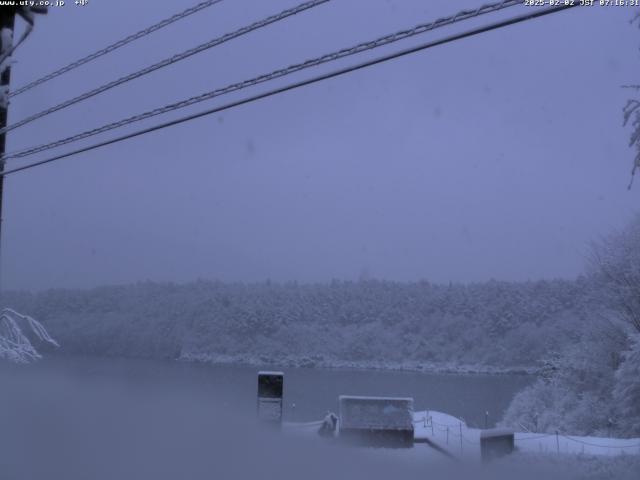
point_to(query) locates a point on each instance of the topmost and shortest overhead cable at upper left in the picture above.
(114, 46)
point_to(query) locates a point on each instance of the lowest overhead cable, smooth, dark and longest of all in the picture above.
(493, 26)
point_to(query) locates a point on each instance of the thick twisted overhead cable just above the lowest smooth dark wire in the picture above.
(362, 47)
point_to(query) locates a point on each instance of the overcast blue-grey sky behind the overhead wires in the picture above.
(499, 156)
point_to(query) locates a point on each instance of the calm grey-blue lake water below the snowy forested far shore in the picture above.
(309, 393)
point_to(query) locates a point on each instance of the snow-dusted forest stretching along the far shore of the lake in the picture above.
(491, 326)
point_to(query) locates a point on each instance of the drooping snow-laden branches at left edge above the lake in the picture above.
(15, 332)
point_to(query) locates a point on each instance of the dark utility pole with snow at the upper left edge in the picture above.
(7, 21)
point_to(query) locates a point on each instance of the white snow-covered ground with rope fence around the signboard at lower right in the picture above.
(453, 451)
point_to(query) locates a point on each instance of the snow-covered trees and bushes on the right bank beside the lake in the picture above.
(593, 386)
